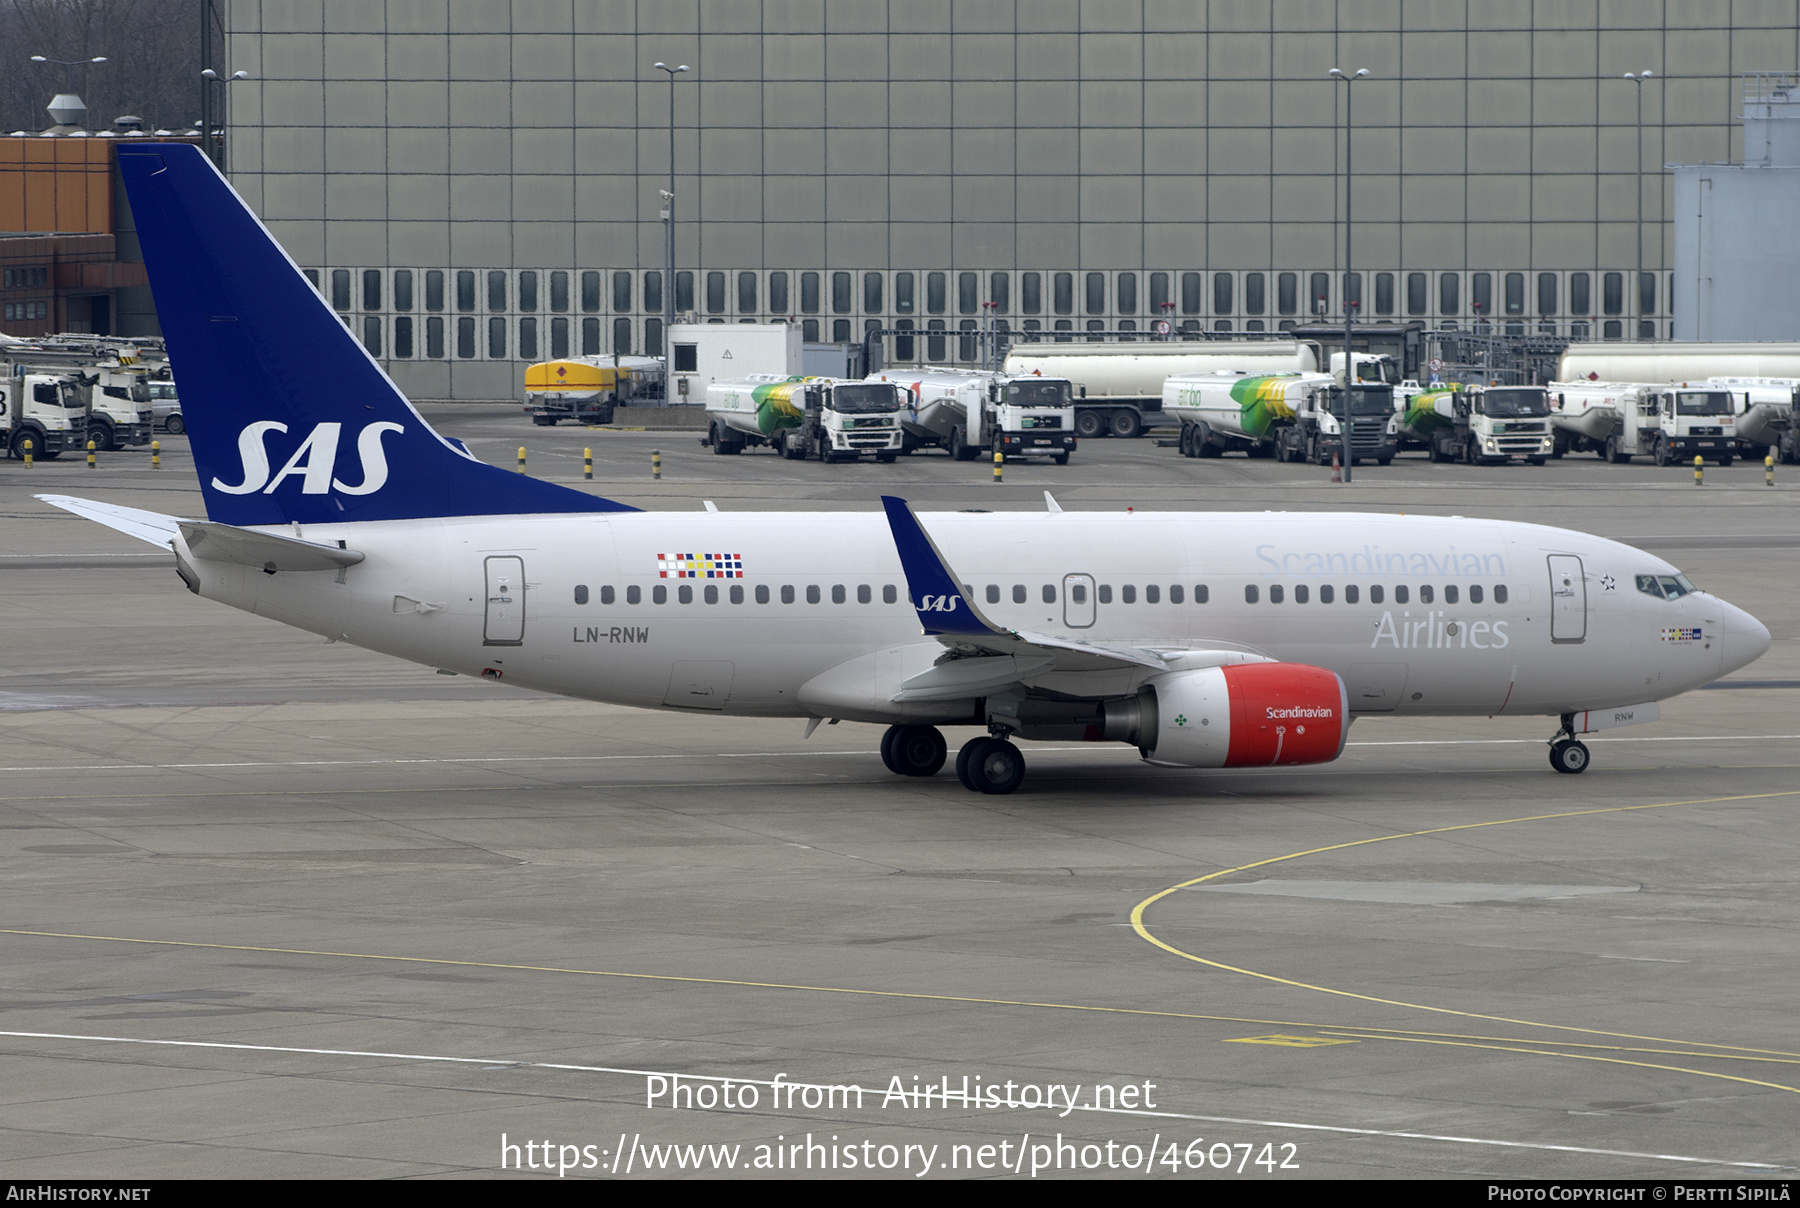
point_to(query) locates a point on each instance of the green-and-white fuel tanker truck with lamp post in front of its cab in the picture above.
(1288, 417)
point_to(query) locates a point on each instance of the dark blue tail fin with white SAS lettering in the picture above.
(289, 415)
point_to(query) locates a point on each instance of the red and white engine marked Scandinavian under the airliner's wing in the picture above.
(1246, 716)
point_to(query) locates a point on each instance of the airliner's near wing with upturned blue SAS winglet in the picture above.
(985, 656)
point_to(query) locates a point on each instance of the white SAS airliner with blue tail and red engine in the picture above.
(1205, 640)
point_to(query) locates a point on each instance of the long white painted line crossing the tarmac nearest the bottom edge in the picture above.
(1106, 1112)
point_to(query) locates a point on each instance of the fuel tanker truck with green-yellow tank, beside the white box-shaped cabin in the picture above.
(796, 417)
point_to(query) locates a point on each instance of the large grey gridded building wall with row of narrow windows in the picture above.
(1079, 165)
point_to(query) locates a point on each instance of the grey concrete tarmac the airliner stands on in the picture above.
(273, 908)
